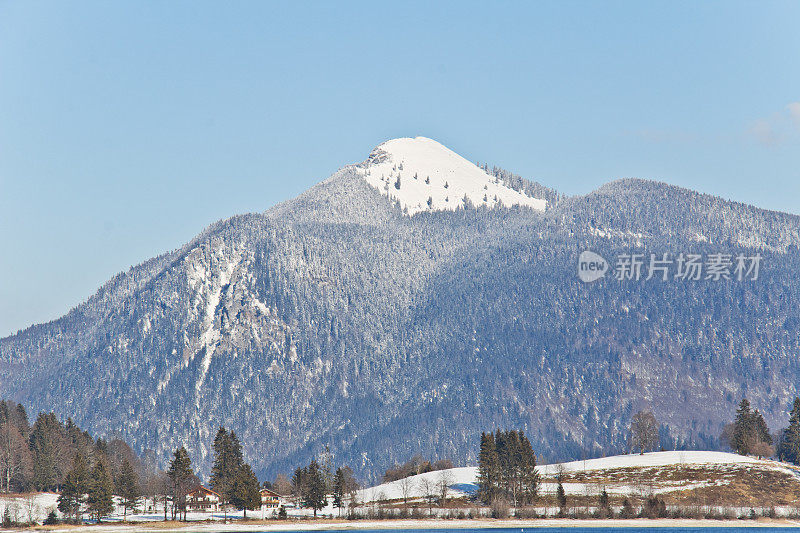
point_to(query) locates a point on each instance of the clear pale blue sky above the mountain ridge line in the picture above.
(127, 127)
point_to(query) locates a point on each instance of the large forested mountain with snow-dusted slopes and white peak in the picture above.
(359, 317)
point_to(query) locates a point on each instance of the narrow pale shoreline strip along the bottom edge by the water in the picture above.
(410, 523)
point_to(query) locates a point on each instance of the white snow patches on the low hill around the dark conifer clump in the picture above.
(464, 480)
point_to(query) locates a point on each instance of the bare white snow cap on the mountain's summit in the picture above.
(423, 175)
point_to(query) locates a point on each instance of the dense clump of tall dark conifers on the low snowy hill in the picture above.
(507, 467)
